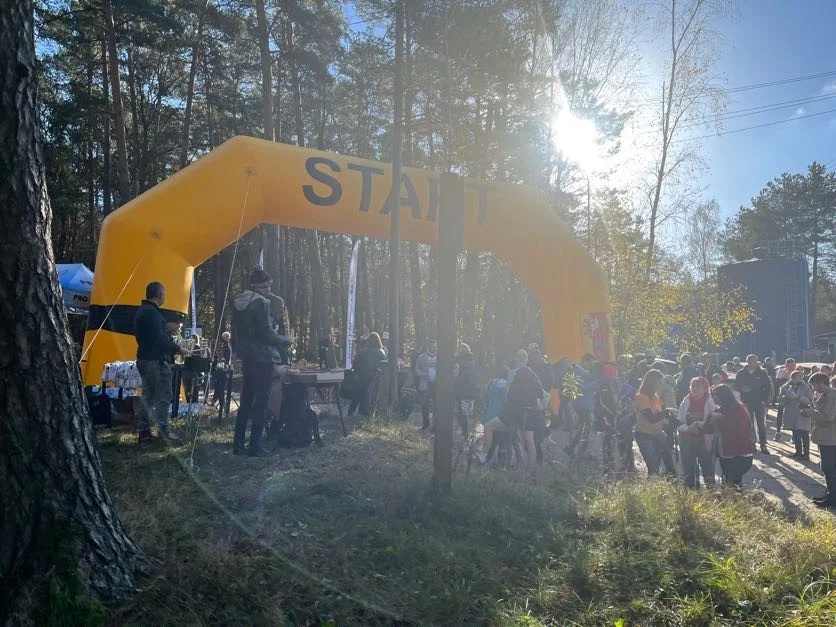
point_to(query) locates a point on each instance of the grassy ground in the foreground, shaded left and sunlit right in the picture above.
(350, 535)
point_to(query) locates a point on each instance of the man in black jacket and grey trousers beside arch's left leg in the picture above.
(154, 352)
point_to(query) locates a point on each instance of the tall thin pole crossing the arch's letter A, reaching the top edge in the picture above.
(395, 212)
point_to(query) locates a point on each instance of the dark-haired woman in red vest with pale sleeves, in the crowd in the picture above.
(736, 434)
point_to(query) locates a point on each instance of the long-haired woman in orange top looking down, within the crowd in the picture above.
(654, 443)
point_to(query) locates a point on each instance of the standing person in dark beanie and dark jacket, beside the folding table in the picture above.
(255, 341)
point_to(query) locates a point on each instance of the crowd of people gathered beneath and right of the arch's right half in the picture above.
(684, 416)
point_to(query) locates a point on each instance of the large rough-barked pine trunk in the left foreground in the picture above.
(51, 473)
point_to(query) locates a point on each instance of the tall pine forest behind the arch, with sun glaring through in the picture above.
(555, 94)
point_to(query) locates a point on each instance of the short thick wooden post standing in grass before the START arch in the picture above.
(450, 239)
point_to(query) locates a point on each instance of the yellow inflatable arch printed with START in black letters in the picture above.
(177, 225)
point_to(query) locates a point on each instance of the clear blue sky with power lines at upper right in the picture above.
(770, 40)
